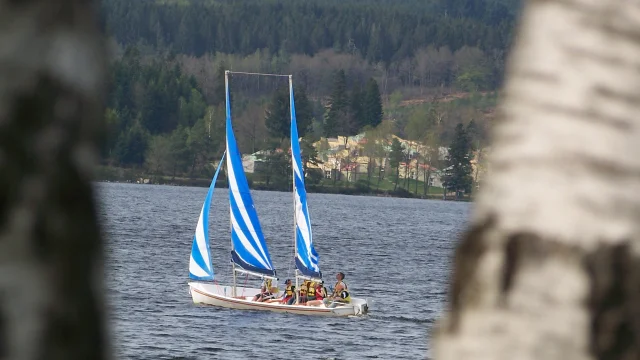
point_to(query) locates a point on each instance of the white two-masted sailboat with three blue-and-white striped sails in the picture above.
(249, 252)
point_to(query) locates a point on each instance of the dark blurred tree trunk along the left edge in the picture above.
(52, 64)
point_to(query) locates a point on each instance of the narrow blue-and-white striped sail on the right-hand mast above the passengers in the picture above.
(306, 256)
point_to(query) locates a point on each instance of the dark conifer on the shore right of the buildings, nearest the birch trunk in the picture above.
(458, 174)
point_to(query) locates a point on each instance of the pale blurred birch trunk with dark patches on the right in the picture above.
(550, 268)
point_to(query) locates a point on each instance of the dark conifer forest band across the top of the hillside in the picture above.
(379, 30)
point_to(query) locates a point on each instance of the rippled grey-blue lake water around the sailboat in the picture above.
(395, 252)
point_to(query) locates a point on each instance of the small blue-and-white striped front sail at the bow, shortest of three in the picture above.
(200, 267)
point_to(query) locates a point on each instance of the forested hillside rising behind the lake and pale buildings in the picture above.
(166, 101)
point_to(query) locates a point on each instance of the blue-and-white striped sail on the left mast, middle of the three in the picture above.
(249, 246)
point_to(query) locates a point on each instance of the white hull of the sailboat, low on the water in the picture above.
(221, 295)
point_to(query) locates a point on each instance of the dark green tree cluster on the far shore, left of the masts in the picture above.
(147, 103)
